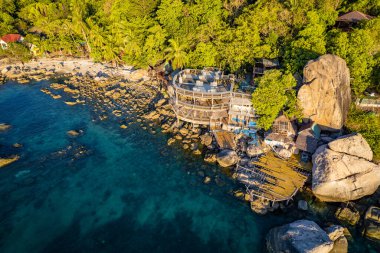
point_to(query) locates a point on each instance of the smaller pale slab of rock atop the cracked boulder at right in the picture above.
(353, 144)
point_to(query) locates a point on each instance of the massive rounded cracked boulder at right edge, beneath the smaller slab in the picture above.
(341, 176)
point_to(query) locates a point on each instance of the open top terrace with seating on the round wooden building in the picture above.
(206, 80)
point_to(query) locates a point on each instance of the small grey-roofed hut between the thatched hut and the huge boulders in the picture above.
(308, 138)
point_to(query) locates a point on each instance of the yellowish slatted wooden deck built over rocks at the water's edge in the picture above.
(273, 178)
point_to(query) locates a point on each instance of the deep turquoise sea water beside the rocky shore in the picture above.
(111, 190)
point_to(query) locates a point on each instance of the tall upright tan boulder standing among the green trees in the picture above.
(326, 95)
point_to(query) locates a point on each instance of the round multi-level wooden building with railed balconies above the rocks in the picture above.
(206, 97)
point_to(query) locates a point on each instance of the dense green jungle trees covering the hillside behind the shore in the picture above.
(229, 34)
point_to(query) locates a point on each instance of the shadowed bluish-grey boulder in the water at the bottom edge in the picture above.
(299, 237)
